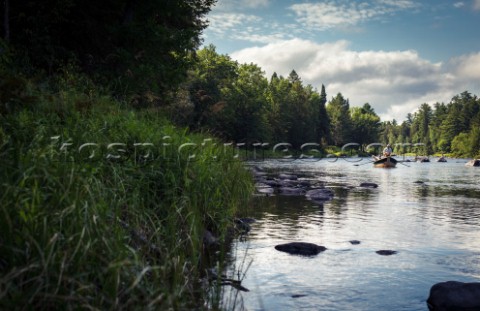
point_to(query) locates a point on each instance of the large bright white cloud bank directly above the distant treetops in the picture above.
(393, 82)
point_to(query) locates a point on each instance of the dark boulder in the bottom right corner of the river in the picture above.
(454, 296)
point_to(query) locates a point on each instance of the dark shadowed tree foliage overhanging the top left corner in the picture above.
(133, 46)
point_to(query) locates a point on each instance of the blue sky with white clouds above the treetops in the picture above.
(393, 54)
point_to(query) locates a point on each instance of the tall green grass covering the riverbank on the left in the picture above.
(103, 207)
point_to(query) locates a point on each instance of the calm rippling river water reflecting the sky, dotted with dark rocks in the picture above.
(428, 212)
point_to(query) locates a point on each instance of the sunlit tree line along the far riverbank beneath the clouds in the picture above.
(239, 103)
